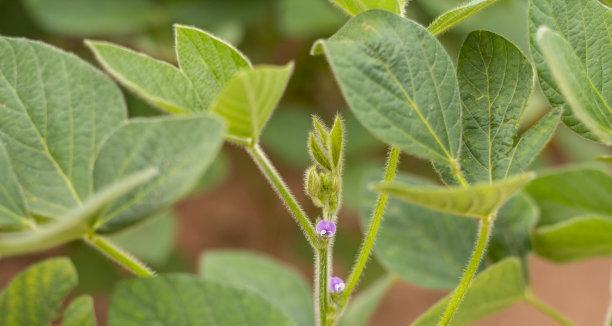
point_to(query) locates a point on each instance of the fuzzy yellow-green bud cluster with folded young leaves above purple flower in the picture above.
(323, 180)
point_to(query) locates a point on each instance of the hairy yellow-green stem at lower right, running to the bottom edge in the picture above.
(484, 232)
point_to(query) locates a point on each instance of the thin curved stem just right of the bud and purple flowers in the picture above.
(372, 233)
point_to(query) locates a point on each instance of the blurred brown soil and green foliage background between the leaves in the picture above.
(233, 207)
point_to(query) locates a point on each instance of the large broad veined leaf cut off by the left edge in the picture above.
(55, 111)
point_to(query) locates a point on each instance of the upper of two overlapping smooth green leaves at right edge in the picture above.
(563, 194)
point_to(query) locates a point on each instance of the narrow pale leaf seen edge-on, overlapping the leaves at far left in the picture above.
(75, 223)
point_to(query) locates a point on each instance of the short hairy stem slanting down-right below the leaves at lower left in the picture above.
(118, 255)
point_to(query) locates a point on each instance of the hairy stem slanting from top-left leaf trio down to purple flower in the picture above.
(283, 192)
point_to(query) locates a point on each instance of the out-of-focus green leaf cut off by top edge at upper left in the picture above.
(92, 17)
